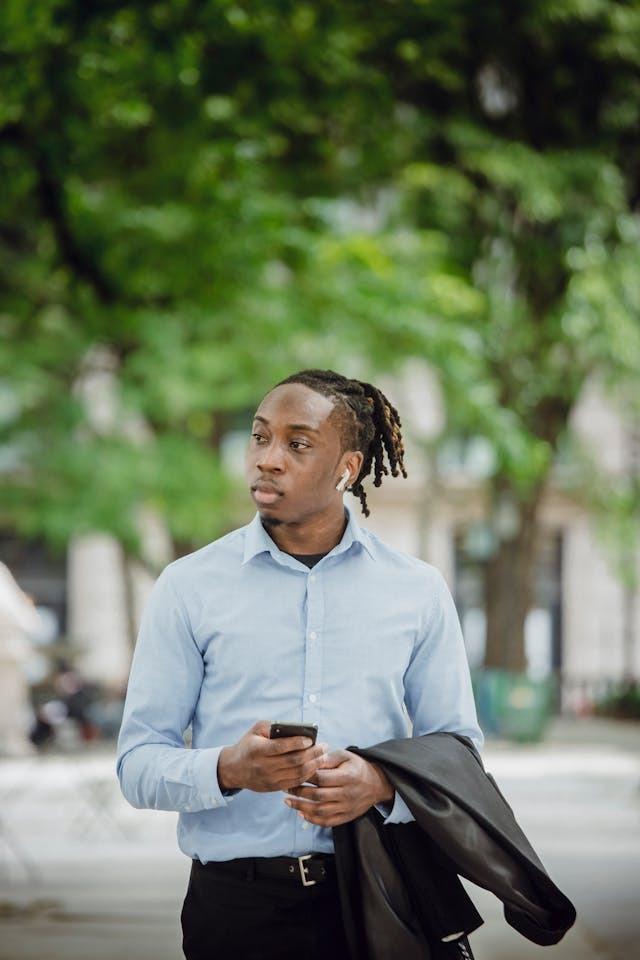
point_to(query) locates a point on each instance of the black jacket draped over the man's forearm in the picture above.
(400, 892)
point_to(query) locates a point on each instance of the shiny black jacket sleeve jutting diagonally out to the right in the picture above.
(466, 818)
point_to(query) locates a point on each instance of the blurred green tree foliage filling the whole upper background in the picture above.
(211, 194)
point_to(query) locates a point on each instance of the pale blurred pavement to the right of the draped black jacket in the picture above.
(577, 796)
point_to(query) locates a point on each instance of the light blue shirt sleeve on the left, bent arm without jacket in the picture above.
(154, 768)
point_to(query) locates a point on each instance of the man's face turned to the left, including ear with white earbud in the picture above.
(294, 457)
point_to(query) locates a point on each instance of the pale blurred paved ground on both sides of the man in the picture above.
(82, 875)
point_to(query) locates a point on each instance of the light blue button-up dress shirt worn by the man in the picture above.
(241, 631)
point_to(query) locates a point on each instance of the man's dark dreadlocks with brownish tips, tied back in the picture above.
(368, 422)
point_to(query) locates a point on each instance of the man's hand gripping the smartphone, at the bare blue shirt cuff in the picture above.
(258, 763)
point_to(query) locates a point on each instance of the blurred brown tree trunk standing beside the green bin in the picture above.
(509, 586)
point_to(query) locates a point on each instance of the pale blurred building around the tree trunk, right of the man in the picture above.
(585, 624)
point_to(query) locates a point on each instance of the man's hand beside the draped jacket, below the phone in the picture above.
(346, 786)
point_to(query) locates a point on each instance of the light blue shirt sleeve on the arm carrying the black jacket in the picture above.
(437, 682)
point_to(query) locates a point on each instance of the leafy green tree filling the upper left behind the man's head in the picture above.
(172, 179)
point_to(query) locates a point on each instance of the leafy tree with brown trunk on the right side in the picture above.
(524, 152)
